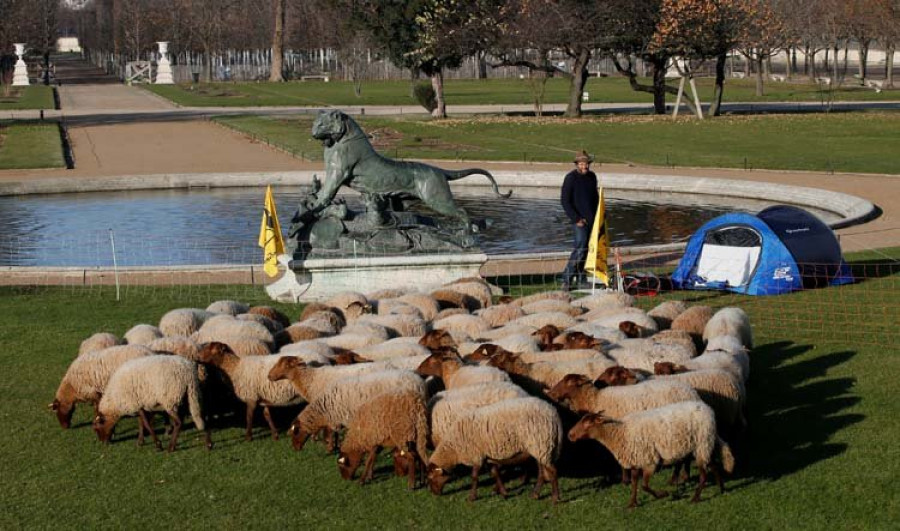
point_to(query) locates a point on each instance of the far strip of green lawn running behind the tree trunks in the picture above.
(473, 92)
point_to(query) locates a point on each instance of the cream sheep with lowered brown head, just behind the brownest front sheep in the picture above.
(342, 399)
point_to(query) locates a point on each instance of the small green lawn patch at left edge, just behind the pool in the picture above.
(30, 145)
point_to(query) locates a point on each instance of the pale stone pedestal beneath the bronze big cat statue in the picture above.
(322, 278)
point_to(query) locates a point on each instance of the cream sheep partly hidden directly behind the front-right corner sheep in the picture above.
(582, 395)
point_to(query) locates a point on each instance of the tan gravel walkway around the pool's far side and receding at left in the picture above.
(158, 147)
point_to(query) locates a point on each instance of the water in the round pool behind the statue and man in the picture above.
(219, 226)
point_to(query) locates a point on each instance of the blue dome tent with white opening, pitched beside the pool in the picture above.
(779, 250)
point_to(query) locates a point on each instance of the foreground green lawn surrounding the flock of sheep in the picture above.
(821, 452)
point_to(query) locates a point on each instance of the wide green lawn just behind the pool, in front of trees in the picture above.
(851, 142)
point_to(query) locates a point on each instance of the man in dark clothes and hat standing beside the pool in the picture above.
(579, 199)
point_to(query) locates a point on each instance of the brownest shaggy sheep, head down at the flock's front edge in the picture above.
(394, 419)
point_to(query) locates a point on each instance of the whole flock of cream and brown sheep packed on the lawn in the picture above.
(443, 378)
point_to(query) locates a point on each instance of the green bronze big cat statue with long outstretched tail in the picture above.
(350, 160)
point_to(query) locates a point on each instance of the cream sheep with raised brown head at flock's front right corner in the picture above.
(667, 435)
